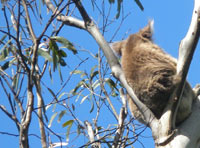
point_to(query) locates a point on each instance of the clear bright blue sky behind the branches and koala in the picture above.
(172, 19)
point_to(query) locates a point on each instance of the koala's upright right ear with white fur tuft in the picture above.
(147, 31)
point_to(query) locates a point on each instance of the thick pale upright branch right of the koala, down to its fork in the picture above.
(186, 51)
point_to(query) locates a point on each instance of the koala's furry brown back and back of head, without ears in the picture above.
(150, 72)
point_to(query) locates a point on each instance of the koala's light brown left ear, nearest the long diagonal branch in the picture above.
(117, 47)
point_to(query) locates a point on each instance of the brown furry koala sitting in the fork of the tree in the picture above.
(151, 73)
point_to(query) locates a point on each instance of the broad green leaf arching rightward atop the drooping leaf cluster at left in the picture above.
(66, 43)
